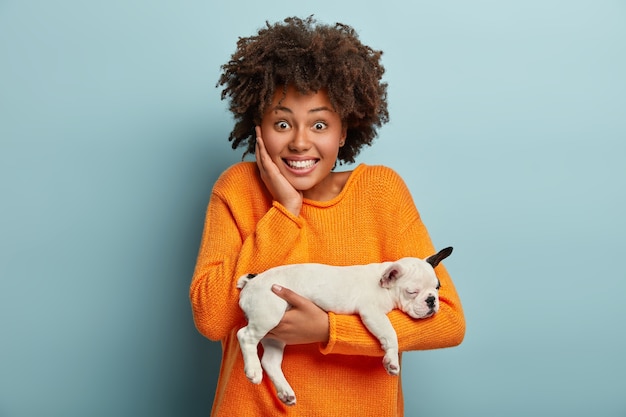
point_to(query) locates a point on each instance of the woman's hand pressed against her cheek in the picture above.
(281, 189)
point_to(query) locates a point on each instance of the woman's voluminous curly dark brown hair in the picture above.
(310, 56)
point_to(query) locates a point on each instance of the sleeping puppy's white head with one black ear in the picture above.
(414, 285)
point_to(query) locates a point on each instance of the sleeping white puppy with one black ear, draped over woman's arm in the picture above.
(372, 291)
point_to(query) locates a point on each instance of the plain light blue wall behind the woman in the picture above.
(508, 123)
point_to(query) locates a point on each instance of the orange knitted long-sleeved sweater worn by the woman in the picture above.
(373, 219)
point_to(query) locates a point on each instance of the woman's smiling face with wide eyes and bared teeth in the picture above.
(302, 134)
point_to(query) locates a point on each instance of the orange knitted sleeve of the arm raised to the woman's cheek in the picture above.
(240, 236)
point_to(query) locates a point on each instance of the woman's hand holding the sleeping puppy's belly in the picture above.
(303, 323)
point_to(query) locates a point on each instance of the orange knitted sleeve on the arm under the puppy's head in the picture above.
(445, 329)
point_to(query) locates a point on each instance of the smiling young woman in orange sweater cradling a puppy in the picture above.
(305, 97)
